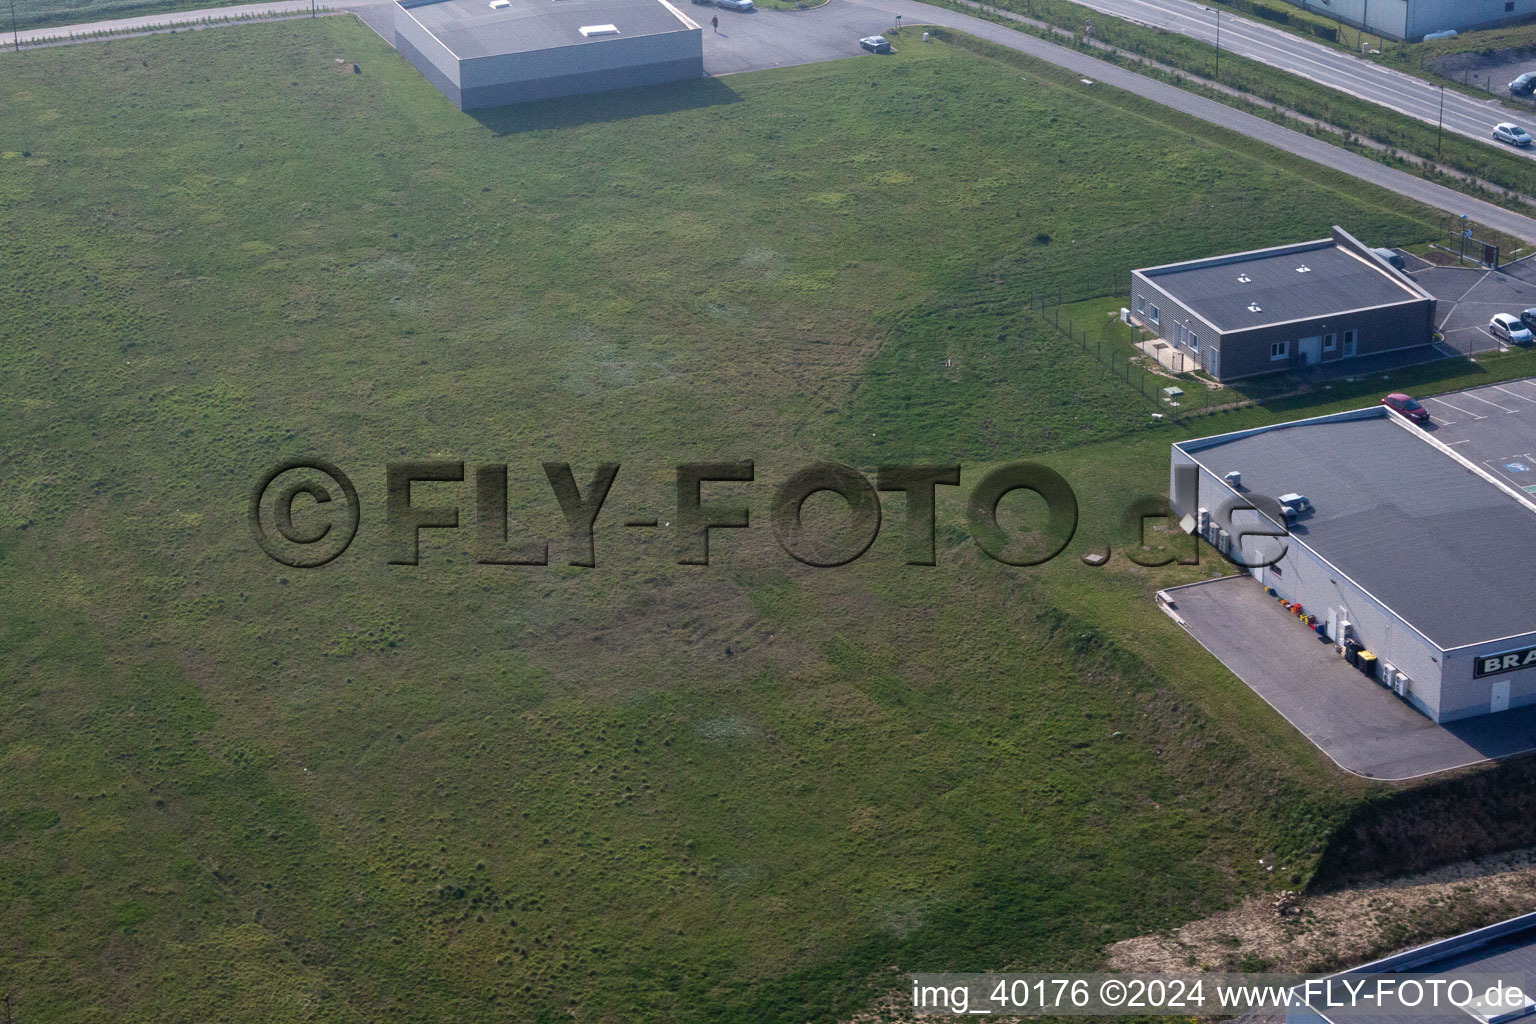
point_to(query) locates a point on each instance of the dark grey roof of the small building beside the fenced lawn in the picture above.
(1336, 282)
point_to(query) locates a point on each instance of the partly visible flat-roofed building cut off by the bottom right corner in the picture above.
(1505, 953)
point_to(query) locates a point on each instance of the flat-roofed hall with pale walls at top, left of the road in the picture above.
(492, 53)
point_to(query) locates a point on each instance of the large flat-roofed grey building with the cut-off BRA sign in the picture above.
(1395, 544)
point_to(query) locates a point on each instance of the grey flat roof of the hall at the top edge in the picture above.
(472, 28)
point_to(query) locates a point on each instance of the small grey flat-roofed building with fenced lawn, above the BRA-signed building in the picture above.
(1283, 309)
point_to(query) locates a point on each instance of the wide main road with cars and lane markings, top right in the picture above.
(1394, 90)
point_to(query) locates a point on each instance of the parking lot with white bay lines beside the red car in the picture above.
(1492, 428)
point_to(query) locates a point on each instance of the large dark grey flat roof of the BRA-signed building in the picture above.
(1443, 547)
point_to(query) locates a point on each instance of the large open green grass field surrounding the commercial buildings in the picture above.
(233, 791)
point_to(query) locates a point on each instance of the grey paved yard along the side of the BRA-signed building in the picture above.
(1359, 724)
